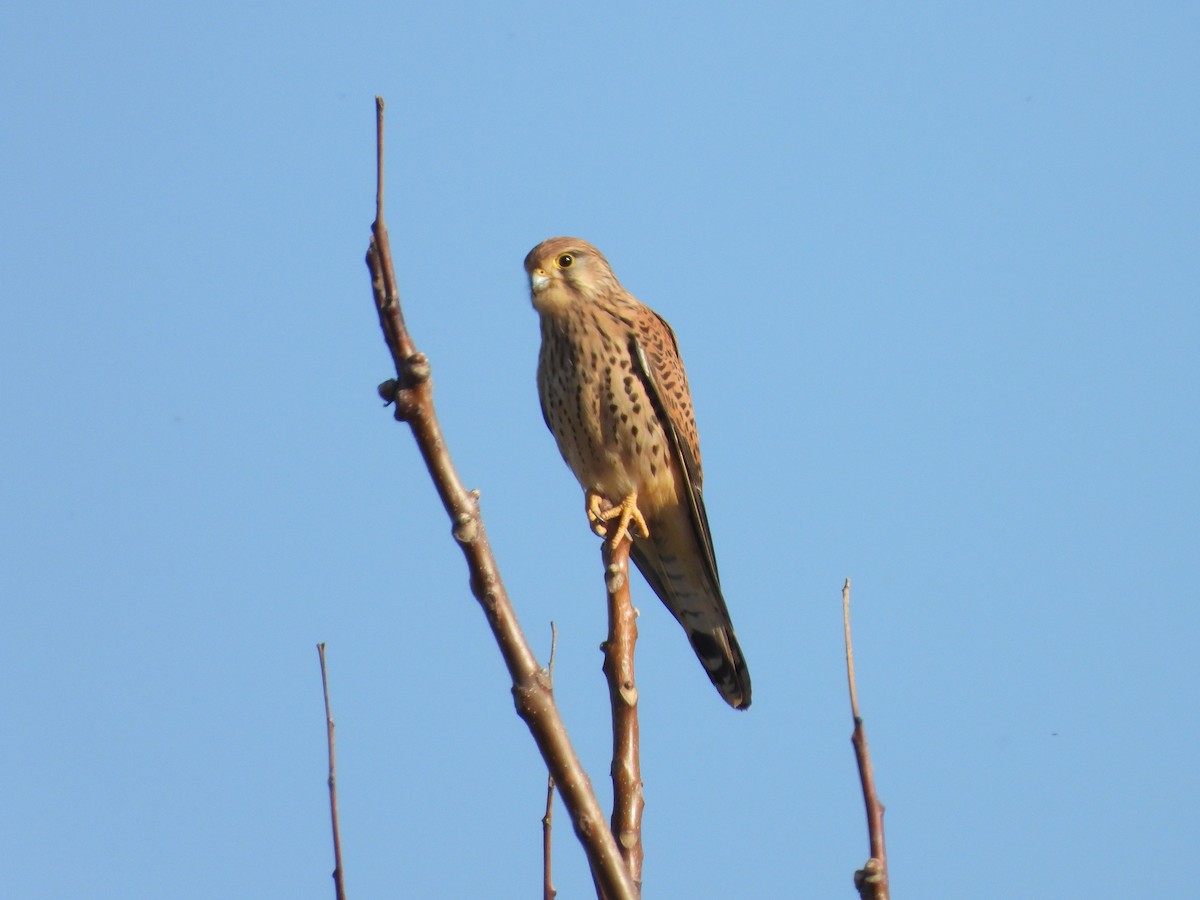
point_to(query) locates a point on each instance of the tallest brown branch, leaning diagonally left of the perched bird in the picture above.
(413, 398)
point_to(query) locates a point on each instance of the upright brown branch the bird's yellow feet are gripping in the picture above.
(628, 800)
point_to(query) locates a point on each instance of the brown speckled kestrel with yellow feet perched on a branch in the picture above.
(615, 395)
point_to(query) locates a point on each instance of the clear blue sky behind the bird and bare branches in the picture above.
(934, 273)
